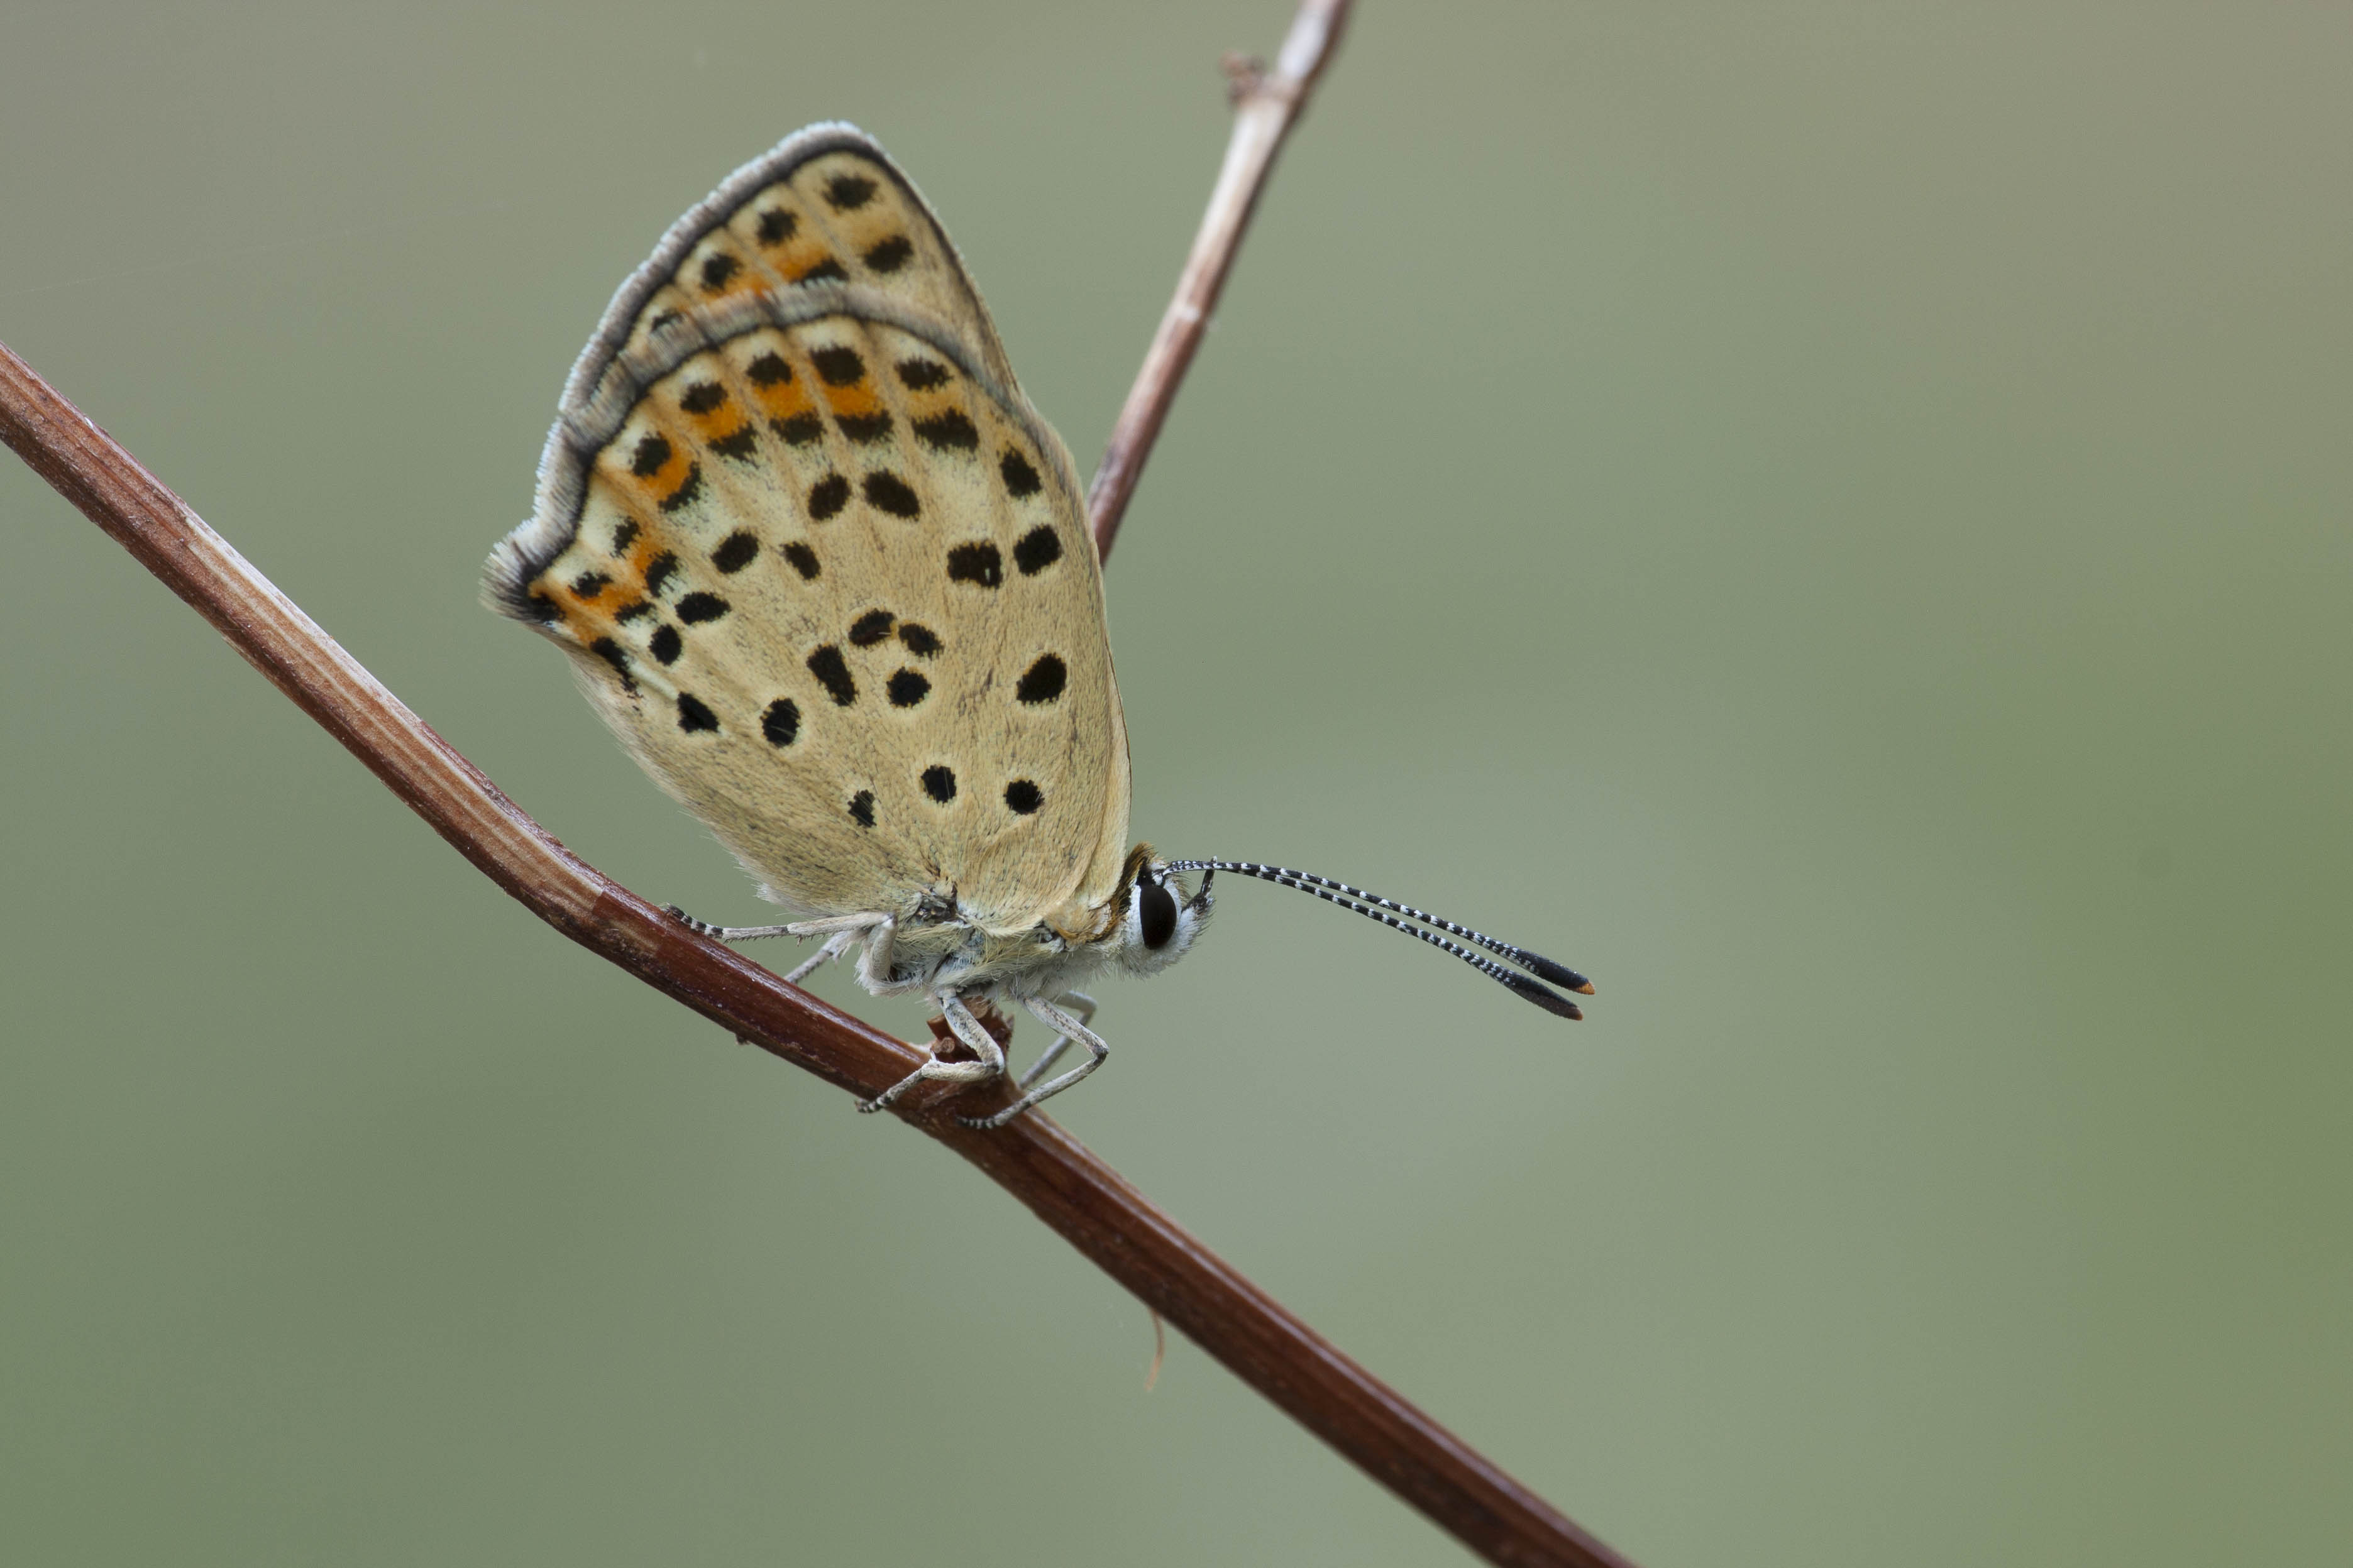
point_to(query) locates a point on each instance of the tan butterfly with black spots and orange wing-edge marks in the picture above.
(829, 579)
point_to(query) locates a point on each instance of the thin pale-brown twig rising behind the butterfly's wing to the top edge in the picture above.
(1265, 109)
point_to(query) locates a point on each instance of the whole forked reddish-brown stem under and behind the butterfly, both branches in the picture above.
(1036, 1160)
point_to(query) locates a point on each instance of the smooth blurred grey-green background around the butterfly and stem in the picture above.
(1832, 518)
